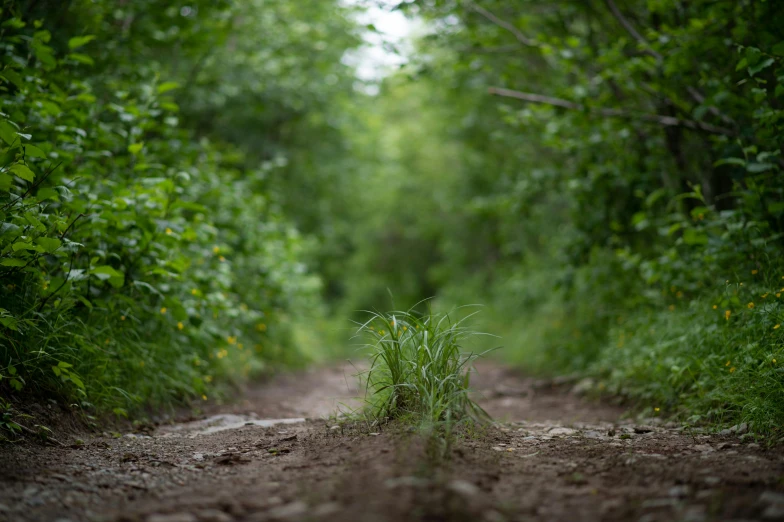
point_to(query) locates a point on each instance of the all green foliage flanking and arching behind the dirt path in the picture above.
(195, 191)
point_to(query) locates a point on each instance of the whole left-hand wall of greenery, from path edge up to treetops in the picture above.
(144, 254)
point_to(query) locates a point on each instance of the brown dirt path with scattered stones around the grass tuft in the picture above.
(555, 457)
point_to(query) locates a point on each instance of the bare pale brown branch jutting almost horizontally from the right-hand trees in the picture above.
(666, 121)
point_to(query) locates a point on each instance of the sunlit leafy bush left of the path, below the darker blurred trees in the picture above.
(139, 262)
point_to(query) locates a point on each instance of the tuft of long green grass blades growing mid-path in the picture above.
(419, 367)
